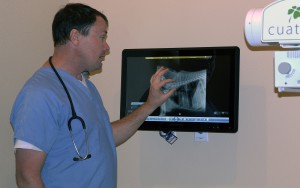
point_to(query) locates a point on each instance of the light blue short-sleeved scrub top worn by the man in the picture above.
(40, 115)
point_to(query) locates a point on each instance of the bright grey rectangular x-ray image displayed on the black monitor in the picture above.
(190, 95)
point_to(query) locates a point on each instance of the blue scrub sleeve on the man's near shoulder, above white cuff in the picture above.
(33, 119)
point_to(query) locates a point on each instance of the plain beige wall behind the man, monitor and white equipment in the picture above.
(263, 154)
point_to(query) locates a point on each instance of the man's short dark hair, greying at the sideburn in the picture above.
(73, 16)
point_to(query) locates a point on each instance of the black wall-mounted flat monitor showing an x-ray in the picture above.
(207, 87)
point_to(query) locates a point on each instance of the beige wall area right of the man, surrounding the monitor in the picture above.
(263, 154)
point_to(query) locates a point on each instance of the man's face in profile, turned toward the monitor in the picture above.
(94, 47)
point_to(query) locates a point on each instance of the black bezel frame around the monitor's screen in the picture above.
(231, 127)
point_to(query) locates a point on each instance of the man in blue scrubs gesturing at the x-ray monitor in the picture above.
(63, 137)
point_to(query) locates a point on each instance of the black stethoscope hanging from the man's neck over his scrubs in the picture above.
(74, 117)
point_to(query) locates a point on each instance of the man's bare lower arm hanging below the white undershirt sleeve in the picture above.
(29, 164)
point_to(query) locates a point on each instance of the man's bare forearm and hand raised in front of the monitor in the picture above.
(124, 128)
